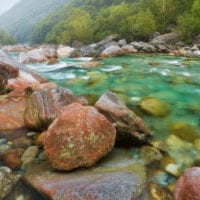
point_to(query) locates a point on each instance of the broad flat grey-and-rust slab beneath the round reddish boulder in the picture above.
(118, 177)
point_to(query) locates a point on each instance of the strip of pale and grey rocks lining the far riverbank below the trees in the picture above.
(169, 43)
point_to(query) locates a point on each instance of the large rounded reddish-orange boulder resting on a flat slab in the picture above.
(79, 137)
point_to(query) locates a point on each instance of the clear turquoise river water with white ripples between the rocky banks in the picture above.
(175, 80)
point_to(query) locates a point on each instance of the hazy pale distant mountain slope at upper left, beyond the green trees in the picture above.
(19, 20)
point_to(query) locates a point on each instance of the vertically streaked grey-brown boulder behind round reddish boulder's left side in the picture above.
(43, 106)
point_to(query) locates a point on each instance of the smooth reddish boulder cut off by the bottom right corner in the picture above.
(188, 185)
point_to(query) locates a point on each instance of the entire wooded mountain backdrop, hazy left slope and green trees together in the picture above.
(92, 20)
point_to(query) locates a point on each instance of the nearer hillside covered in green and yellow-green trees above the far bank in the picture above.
(91, 20)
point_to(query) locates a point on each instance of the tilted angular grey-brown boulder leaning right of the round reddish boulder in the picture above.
(128, 124)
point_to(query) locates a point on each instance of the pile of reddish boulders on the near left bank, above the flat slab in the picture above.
(74, 134)
